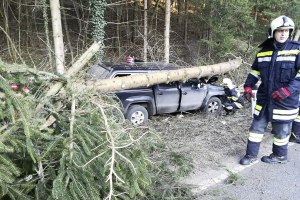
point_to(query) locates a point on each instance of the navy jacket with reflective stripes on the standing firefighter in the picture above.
(276, 68)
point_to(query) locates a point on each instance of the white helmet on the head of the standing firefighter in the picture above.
(283, 22)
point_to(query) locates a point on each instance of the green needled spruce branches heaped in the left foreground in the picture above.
(87, 153)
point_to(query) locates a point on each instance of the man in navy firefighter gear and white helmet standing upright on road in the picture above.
(277, 65)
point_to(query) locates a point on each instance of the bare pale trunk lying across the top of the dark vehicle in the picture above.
(165, 76)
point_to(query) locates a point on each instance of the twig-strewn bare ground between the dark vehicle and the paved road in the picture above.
(205, 138)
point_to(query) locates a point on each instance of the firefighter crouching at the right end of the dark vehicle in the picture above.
(233, 100)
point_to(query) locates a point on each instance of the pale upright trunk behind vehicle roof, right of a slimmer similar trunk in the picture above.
(167, 31)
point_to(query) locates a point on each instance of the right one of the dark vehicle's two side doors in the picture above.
(192, 95)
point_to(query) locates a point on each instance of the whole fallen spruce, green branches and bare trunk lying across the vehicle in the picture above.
(88, 151)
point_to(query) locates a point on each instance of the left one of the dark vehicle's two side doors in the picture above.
(167, 97)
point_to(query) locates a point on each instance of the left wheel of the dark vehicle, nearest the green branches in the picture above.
(137, 114)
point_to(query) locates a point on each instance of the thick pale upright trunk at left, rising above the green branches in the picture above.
(57, 36)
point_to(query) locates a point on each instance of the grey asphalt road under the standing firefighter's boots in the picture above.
(261, 181)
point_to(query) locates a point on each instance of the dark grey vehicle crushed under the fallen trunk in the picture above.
(141, 103)
